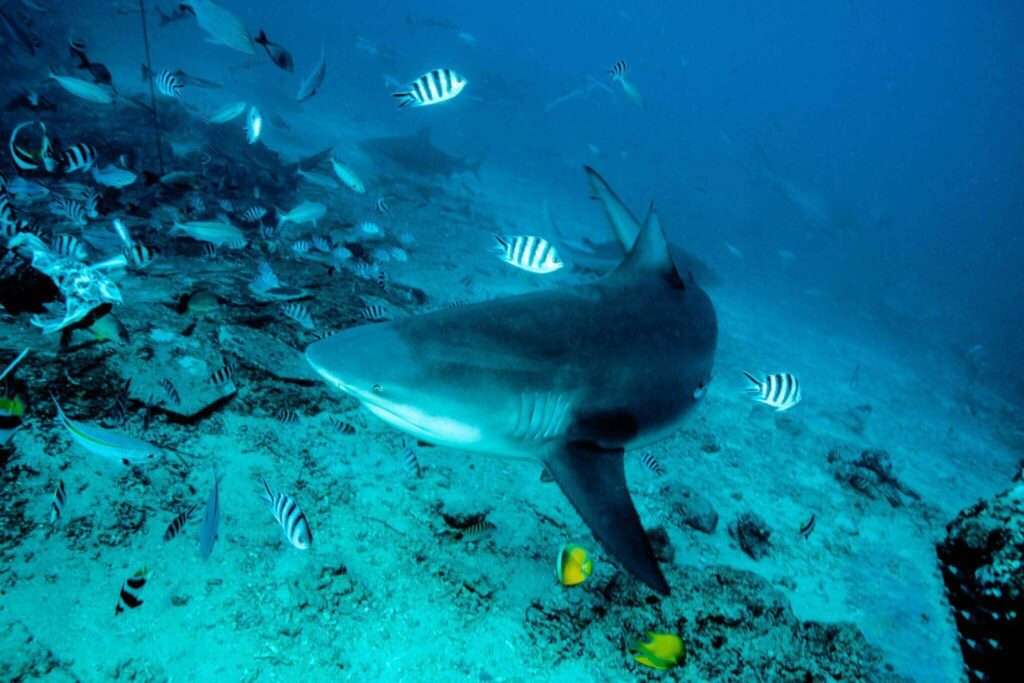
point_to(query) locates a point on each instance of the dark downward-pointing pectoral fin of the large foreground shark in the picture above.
(594, 481)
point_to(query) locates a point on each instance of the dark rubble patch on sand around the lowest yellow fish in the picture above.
(737, 627)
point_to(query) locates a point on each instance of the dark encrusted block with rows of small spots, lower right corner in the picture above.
(983, 563)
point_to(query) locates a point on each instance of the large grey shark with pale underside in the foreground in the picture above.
(570, 377)
